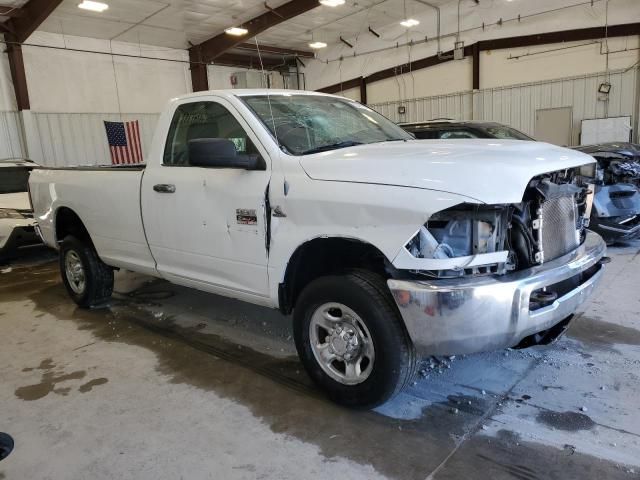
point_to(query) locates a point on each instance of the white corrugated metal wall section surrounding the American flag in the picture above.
(63, 139)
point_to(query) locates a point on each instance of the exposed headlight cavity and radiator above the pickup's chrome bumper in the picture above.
(549, 222)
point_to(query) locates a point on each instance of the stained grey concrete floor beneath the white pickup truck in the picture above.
(172, 383)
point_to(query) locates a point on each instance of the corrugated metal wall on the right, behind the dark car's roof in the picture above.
(516, 105)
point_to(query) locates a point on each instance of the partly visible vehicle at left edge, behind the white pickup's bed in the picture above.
(17, 227)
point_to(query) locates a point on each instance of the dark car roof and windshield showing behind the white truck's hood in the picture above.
(445, 129)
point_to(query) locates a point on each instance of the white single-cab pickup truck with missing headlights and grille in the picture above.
(384, 247)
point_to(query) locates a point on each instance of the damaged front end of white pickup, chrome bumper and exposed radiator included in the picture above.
(481, 277)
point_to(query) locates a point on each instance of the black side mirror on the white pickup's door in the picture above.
(221, 153)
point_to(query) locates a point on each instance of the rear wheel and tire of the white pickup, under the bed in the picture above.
(89, 281)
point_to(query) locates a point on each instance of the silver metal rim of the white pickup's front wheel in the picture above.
(341, 343)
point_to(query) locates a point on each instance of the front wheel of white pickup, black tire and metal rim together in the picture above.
(384, 371)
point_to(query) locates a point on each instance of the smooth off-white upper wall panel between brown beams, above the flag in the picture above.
(63, 80)
